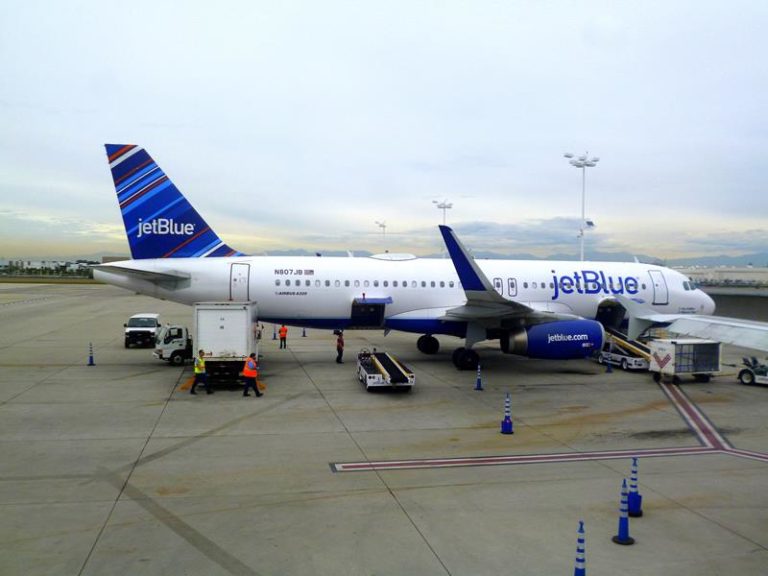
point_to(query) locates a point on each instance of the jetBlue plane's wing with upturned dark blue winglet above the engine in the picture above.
(484, 305)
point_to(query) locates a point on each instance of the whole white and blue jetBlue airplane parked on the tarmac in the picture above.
(539, 309)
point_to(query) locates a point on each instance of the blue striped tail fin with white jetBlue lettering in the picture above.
(159, 221)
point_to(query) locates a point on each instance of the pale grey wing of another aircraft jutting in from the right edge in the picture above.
(746, 333)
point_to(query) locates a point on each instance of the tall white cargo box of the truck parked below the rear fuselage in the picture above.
(227, 333)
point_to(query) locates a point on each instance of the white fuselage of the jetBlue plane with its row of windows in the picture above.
(319, 291)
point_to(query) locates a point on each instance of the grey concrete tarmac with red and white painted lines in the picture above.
(116, 469)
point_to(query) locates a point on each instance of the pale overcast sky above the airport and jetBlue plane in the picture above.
(302, 124)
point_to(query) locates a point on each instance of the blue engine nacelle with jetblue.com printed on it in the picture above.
(560, 340)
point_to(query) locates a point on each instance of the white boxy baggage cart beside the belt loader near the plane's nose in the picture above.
(672, 358)
